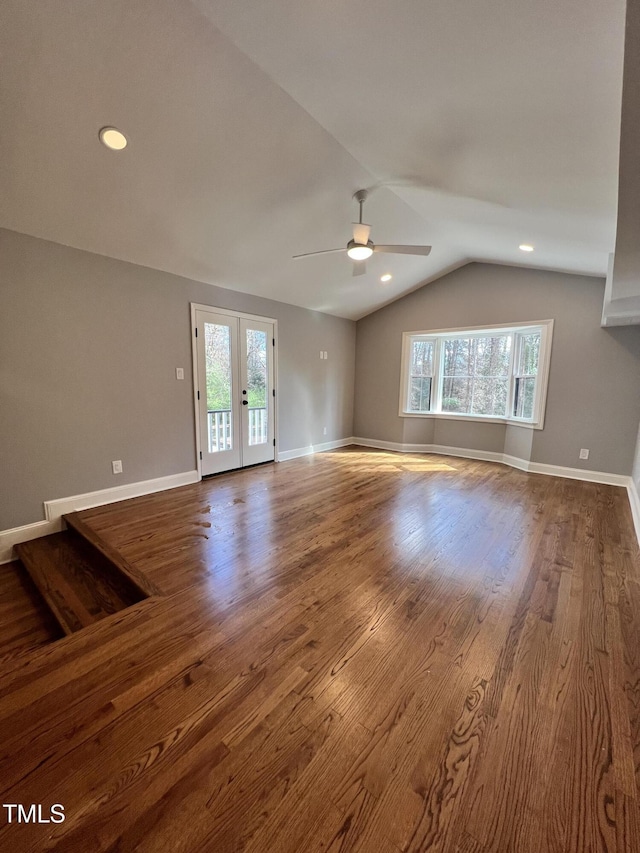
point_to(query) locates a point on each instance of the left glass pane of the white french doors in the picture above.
(217, 348)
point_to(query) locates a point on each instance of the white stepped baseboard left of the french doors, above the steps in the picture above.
(54, 510)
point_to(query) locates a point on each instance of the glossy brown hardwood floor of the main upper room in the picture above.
(357, 651)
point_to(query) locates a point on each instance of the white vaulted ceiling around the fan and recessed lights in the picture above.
(479, 125)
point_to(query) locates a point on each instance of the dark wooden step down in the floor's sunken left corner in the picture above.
(79, 585)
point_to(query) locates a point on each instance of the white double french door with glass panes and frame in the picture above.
(234, 367)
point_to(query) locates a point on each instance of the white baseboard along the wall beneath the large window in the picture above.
(503, 458)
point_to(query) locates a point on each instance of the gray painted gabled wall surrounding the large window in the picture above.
(592, 400)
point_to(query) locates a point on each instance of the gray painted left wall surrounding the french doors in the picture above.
(88, 351)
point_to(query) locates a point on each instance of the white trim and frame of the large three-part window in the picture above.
(546, 337)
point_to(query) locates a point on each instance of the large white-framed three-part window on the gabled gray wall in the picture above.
(496, 373)
